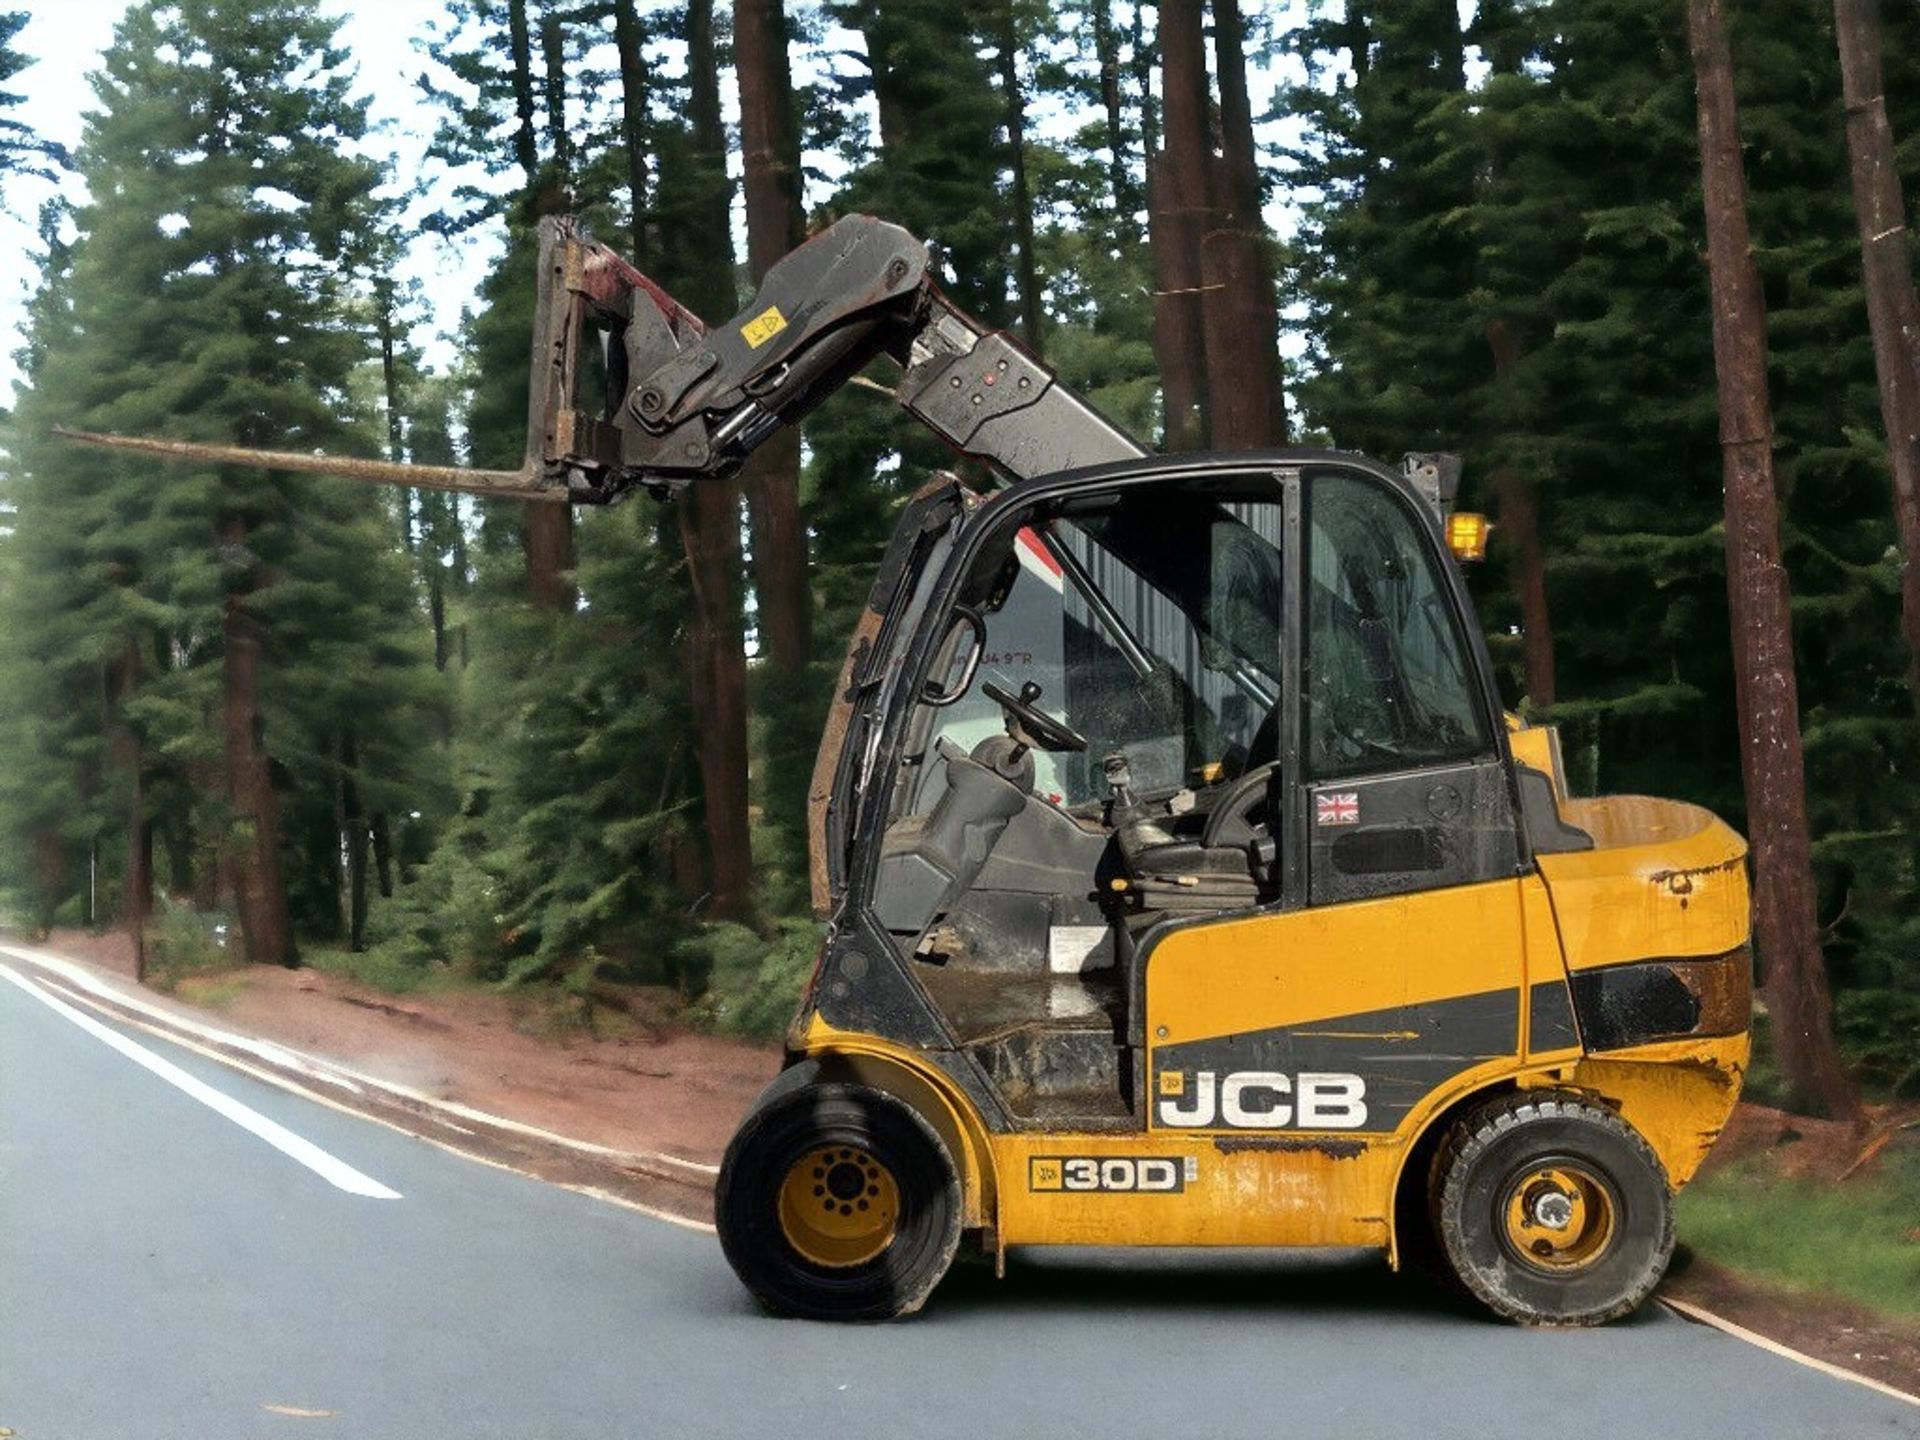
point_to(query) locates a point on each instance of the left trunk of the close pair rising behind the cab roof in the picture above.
(1176, 187)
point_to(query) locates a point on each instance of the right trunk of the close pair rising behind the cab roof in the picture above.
(1241, 318)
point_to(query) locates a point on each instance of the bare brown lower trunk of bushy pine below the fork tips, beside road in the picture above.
(254, 846)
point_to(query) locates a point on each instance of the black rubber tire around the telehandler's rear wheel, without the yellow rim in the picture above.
(1506, 1138)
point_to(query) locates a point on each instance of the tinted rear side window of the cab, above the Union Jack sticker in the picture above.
(1385, 679)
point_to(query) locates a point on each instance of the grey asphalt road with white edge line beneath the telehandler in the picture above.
(168, 1274)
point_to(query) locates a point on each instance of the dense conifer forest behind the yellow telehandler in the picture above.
(262, 715)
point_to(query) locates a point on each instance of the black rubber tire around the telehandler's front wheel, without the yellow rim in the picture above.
(748, 1205)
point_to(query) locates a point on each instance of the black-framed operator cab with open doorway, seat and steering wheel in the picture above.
(1116, 725)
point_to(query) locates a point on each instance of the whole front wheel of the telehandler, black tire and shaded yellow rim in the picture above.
(838, 1203)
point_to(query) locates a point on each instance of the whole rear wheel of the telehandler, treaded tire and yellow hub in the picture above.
(1552, 1211)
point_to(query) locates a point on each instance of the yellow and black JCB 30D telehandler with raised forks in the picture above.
(1186, 882)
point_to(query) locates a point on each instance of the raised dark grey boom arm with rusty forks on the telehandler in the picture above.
(633, 391)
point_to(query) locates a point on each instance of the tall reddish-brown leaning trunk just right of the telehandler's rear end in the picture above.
(1758, 598)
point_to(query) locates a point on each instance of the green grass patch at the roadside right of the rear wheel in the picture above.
(1858, 1239)
